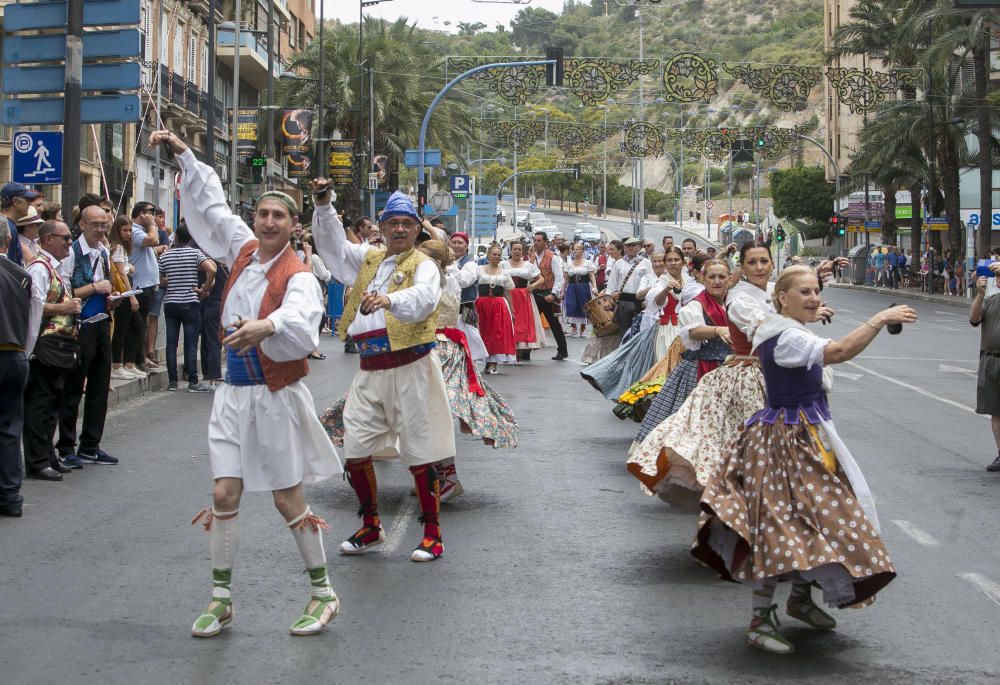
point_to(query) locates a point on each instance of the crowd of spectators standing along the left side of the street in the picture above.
(82, 301)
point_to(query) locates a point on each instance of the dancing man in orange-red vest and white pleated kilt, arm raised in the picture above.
(263, 434)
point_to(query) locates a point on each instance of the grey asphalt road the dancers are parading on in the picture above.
(557, 569)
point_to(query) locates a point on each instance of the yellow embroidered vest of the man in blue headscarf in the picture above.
(401, 335)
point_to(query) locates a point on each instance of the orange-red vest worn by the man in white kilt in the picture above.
(277, 374)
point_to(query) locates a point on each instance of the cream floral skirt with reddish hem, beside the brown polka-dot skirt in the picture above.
(683, 451)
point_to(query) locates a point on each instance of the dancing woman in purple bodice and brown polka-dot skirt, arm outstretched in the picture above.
(790, 503)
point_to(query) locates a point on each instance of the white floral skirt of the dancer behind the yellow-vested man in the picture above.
(487, 417)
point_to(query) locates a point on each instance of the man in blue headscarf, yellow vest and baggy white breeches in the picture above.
(399, 394)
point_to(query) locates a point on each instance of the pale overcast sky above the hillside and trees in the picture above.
(431, 14)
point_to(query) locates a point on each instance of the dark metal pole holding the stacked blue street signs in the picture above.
(71, 108)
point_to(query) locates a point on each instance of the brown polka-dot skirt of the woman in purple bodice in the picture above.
(781, 505)
